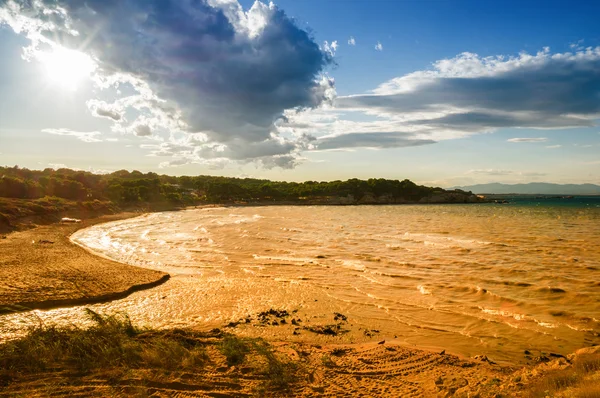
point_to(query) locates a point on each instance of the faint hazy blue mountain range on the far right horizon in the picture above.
(539, 188)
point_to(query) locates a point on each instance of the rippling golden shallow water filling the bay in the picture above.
(472, 279)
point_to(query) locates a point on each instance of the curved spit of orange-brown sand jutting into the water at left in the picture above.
(41, 268)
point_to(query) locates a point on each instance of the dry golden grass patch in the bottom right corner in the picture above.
(574, 381)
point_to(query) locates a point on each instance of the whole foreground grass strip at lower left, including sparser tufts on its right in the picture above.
(114, 345)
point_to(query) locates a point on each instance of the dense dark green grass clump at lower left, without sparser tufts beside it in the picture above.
(112, 342)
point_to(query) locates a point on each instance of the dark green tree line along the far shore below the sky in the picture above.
(129, 188)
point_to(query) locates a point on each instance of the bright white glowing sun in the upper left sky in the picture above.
(67, 68)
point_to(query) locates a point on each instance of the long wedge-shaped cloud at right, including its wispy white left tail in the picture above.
(460, 97)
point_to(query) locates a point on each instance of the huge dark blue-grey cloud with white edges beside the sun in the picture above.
(201, 66)
